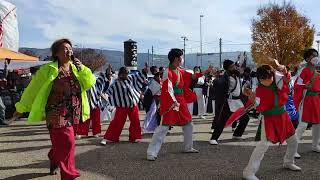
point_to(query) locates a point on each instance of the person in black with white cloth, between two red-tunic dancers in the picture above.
(227, 101)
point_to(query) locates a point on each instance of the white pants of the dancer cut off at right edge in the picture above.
(315, 132)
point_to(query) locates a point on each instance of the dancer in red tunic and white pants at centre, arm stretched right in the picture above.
(175, 95)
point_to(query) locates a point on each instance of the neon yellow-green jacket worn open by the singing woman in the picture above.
(34, 98)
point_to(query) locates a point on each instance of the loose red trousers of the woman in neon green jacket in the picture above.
(62, 152)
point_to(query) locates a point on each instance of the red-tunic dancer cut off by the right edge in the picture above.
(306, 98)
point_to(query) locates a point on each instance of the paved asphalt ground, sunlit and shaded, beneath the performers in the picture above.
(23, 155)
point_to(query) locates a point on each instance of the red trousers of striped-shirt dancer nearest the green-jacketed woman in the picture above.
(83, 127)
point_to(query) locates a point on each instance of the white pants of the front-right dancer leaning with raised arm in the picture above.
(262, 146)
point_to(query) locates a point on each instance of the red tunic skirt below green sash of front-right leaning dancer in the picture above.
(278, 128)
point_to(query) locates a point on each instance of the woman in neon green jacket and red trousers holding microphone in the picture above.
(57, 94)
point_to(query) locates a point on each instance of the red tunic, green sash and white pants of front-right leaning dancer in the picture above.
(276, 125)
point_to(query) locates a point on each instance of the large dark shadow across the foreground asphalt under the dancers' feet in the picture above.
(213, 162)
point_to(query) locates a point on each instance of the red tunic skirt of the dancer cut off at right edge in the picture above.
(311, 109)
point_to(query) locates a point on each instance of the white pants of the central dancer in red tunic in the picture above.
(161, 132)
